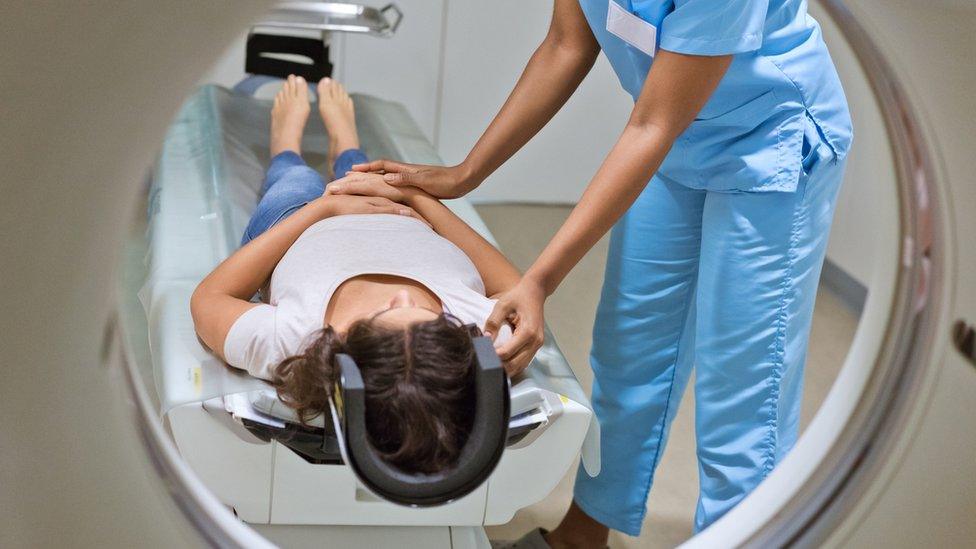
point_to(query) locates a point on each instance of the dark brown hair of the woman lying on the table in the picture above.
(419, 385)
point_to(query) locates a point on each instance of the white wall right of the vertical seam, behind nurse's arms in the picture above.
(487, 46)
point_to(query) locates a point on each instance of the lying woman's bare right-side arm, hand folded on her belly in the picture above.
(496, 271)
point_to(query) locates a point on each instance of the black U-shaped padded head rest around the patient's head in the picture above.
(477, 460)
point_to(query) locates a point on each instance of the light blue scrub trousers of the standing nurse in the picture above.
(725, 281)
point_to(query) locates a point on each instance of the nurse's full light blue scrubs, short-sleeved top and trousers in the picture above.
(716, 264)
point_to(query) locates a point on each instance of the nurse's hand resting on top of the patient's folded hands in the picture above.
(439, 181)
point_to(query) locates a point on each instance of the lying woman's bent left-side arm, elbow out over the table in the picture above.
(224, 295)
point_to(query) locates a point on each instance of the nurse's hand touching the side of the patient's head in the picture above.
(522, 307)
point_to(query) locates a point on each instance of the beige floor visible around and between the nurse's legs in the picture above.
(522, 231)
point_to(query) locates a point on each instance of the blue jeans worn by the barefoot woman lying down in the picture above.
(289, 185)
